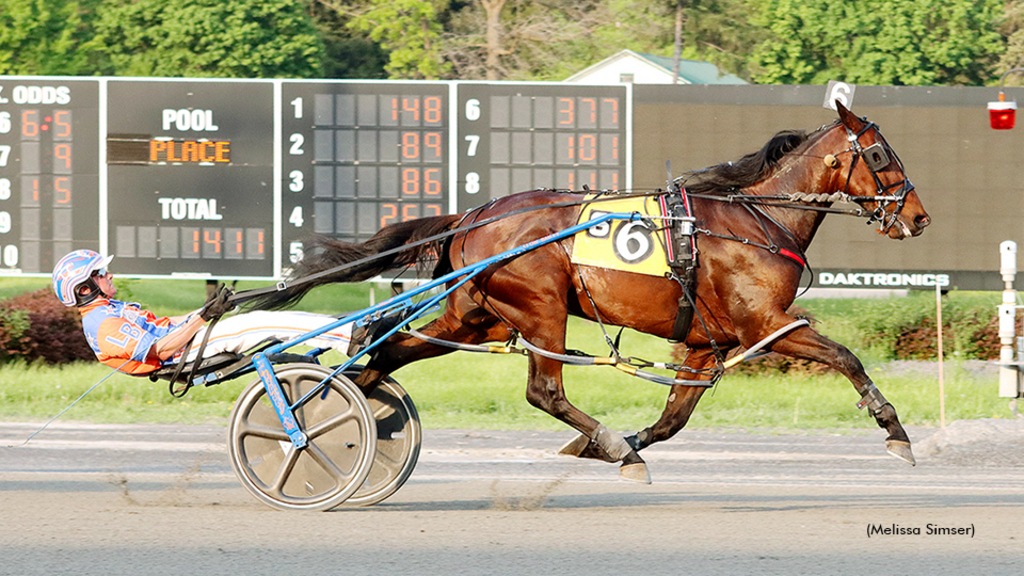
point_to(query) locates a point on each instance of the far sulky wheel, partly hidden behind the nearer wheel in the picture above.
(399, 439)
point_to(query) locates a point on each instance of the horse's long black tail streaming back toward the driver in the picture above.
(323, 254)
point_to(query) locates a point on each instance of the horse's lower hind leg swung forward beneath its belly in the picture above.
(545, 392)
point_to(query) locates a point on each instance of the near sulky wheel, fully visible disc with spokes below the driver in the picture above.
(342, 433)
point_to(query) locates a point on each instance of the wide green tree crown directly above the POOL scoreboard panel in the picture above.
(210, 38)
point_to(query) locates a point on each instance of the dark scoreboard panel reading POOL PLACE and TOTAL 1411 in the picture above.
(190, 170)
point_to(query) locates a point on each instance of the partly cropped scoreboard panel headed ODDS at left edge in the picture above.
(50, 190)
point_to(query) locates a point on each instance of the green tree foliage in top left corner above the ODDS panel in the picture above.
(49, 37)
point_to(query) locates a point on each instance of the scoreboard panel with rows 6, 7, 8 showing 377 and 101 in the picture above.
(515, 138)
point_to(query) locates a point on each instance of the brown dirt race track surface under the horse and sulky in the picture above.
(153, 500)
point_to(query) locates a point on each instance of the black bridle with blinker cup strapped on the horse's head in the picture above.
(877, 159)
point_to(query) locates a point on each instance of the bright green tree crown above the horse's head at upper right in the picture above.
(915, 43)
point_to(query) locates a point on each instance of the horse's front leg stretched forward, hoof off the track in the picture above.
(809, 345)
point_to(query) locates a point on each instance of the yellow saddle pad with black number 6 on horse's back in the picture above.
(629, 246)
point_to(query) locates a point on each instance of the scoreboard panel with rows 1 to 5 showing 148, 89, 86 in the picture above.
(359, 156)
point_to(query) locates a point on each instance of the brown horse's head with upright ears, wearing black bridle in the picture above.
(873, 171)
